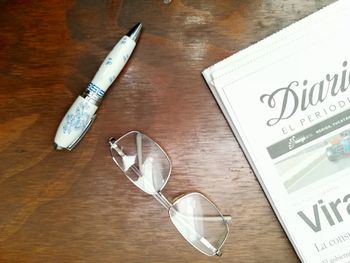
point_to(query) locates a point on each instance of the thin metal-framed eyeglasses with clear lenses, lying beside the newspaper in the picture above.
(147, 166)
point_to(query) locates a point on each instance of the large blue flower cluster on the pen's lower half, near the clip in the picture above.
(77, 120)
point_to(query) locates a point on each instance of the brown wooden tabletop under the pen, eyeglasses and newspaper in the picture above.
(77, 206)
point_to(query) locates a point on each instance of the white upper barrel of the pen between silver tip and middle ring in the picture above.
(113, 64)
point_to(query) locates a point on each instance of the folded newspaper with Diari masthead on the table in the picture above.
(287, 100)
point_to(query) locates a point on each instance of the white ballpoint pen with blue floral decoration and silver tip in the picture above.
(81, 114)
